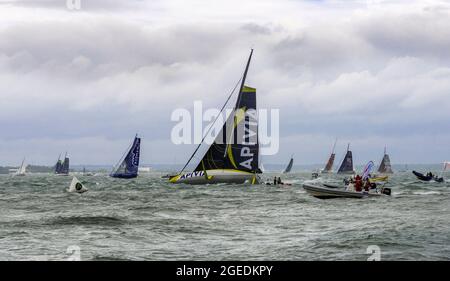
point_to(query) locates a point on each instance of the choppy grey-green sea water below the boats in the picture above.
(148, 219)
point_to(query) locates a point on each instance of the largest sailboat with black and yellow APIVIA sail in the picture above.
(228, 160)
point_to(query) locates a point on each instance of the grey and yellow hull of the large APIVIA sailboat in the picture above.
(214, 177)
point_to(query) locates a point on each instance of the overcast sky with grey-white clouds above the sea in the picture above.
(372, 73)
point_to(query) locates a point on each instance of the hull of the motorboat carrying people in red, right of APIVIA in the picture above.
(323, 192)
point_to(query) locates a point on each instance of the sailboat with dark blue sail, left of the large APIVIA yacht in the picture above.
(128, 166)
